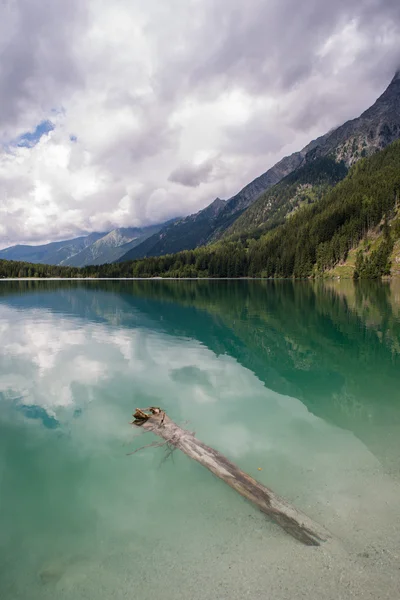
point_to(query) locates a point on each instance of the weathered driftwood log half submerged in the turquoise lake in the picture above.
(287, 516)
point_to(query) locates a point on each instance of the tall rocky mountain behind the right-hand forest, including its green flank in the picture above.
(373, 130)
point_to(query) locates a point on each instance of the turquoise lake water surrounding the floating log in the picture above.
(299, 380)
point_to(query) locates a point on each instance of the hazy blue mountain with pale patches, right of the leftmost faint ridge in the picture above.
(111, 246)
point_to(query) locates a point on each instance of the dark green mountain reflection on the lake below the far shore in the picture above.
(334, 346)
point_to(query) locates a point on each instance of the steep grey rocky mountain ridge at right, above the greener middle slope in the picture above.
(377, 127)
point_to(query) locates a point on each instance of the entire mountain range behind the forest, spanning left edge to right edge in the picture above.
(298, 179)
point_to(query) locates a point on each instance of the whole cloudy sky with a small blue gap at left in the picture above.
(130, 112)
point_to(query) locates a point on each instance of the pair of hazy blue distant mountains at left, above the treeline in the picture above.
(93, 249)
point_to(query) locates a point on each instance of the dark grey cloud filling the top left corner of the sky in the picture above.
(37, 58)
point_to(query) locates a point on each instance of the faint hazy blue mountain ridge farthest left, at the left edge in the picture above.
(51, 254)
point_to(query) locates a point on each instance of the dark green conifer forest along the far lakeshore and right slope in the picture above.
(311, 240)
